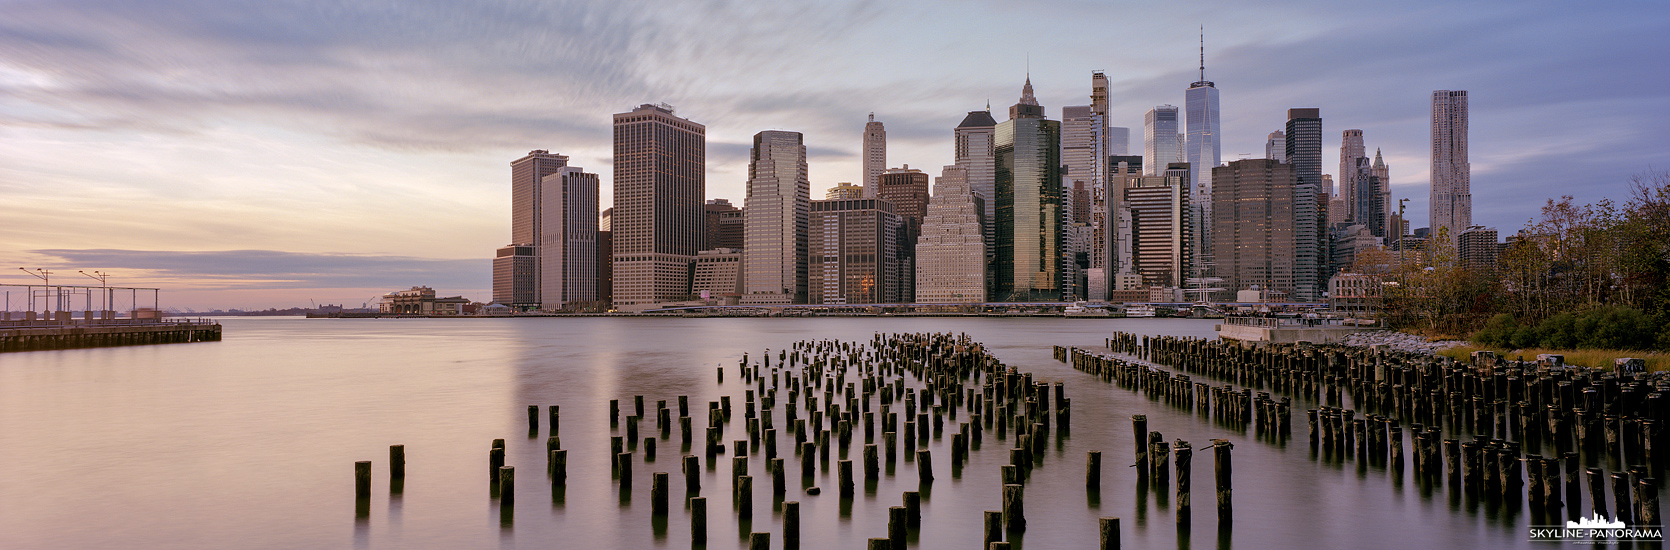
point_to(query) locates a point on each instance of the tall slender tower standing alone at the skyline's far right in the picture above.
(1452, 175)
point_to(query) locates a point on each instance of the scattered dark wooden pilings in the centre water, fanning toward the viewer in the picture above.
(821, 397)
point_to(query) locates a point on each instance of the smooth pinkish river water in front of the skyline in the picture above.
(250, 444)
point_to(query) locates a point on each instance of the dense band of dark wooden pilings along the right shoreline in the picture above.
(1490, 427)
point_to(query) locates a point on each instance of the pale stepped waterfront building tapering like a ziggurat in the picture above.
(951, 252)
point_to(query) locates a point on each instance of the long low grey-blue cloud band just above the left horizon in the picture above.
(276, 270)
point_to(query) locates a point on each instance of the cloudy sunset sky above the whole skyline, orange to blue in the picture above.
(283, 153)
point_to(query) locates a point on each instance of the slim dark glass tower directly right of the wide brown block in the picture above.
(1305, 155)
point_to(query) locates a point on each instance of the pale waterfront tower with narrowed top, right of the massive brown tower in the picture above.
(777, 215)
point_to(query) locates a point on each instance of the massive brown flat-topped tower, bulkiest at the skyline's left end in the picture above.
(660, 185)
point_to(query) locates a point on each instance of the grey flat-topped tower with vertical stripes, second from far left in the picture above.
(569, 240)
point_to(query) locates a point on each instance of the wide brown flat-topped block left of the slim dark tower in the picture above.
(1255, 237)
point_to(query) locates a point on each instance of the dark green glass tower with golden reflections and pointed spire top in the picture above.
(1030, 225)
